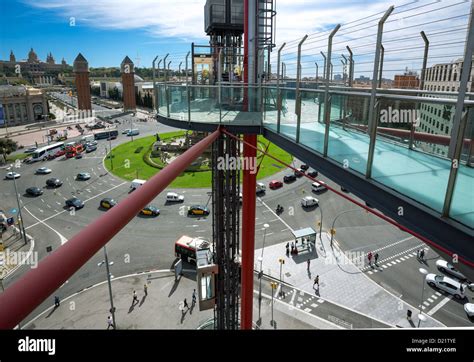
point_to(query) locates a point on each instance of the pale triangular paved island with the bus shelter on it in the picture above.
(341, 282)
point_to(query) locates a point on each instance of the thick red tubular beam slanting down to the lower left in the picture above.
(22, 297)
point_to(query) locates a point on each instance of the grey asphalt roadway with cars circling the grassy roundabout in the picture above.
(148, 243)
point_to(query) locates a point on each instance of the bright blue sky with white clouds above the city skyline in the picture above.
(107, 30)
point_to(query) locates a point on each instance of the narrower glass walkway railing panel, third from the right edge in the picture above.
(348, 138)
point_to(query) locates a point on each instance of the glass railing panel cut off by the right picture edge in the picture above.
(462, 206)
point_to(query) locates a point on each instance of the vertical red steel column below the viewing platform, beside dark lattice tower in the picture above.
(249, 199)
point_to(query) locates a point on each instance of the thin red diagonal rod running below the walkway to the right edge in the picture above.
(368, 209)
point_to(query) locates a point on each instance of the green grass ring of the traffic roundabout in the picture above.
(124, 155)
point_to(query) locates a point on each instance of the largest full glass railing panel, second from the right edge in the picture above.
(420, 173)
